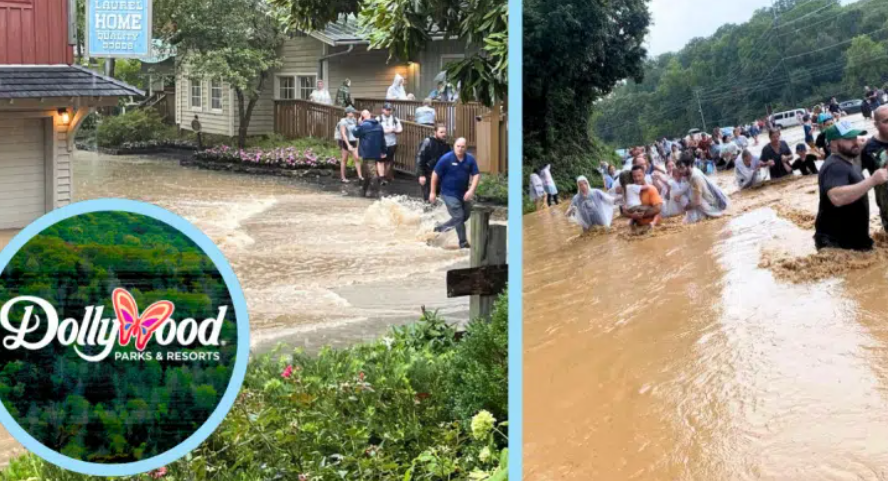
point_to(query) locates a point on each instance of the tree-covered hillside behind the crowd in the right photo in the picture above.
(792, 55)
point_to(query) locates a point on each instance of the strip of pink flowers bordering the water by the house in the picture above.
(282, 157)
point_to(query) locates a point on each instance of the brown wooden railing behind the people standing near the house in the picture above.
(301, 118)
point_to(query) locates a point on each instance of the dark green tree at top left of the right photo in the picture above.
(574, 53)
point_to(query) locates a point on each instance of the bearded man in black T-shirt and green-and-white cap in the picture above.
(843, 214)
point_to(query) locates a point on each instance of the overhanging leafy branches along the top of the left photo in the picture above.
(404, 27)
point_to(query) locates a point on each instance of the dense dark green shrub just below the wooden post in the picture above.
(479, 375)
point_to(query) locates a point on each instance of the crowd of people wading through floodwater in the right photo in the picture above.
(669, 178)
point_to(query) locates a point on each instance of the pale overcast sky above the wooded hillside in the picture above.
(675, 22)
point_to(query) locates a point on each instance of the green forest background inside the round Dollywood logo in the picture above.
(114, 410)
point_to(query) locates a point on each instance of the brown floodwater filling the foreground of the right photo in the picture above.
(678, 357)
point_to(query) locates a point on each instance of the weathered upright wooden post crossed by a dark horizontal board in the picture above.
(488, 249)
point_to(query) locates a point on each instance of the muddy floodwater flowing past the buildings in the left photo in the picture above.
(316, 268)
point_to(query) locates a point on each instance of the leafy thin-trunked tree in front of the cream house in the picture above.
(235, 41)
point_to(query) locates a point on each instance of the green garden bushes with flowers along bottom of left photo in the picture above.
(419, 404)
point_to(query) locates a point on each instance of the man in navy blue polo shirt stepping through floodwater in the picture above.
(458, 175)
